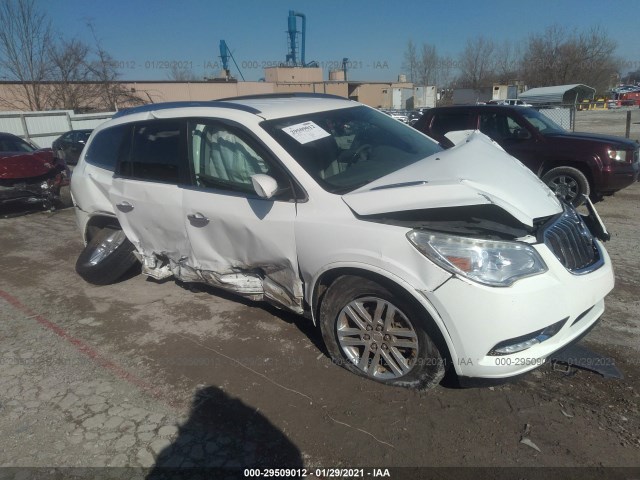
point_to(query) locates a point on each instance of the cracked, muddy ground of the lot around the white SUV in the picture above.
(145, 373)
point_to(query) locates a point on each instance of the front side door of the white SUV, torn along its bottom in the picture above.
(238, 240)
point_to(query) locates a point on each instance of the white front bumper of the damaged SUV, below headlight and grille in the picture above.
(478, 318)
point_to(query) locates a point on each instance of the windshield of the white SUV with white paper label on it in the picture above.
(347, 148)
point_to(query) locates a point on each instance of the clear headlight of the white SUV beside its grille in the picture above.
(494, 263)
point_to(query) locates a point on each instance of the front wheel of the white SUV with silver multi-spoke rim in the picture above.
(366, 347)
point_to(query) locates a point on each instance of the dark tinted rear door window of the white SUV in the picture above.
(158, 152)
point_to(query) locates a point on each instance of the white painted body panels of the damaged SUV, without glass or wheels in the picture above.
(301, 241)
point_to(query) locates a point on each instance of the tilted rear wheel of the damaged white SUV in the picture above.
(107, 257)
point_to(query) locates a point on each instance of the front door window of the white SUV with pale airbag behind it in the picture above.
(224, 158)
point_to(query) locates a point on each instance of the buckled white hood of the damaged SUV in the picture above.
(476, 172)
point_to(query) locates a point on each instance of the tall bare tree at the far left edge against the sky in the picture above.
(25, 36)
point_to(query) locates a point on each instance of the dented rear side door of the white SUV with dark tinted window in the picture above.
(146, 191)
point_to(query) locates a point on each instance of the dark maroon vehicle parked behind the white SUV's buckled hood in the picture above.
(571, 164)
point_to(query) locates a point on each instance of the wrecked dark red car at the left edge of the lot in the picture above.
(28, 174)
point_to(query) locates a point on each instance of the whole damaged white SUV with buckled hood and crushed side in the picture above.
(412, 259)
